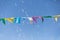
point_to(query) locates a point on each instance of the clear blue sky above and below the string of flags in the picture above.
(48, 30)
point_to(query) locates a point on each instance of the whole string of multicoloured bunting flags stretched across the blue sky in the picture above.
(31, 19)
